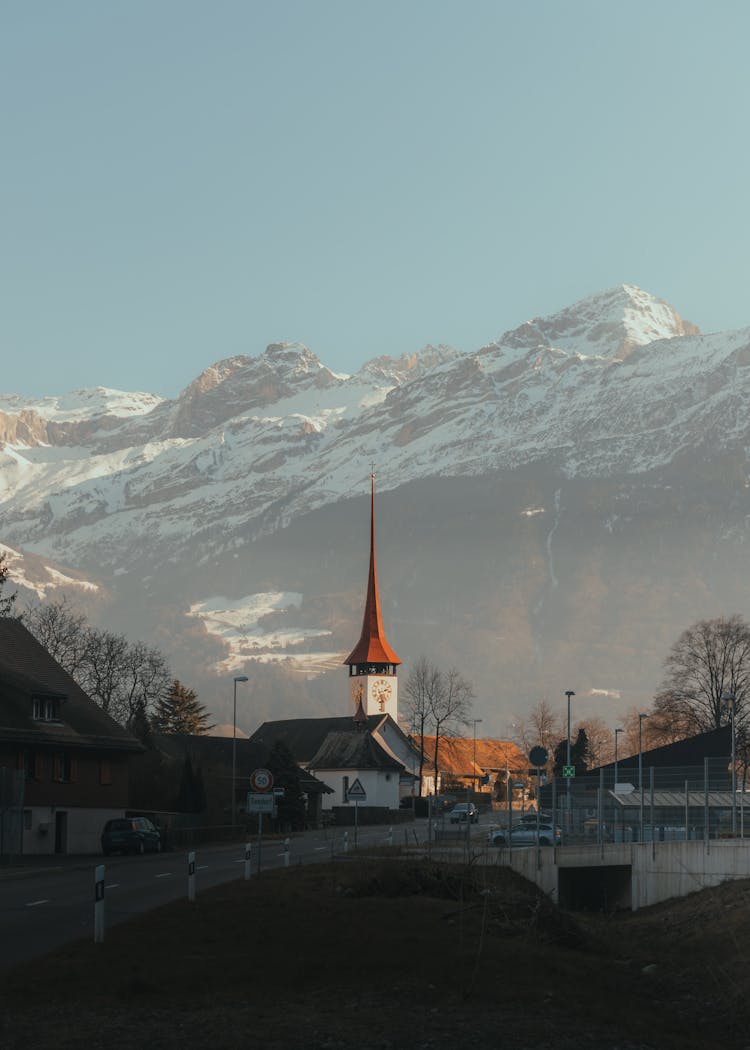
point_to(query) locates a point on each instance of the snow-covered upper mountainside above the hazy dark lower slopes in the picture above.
(256, 443)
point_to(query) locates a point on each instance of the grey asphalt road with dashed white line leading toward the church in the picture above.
(51, 902)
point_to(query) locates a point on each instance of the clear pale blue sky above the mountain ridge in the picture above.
(186, 181)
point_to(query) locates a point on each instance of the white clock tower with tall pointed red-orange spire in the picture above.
(372, 663)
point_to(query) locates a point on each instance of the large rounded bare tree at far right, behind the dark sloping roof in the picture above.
(710, 663)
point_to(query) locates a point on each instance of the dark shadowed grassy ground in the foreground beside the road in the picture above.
(389, 955)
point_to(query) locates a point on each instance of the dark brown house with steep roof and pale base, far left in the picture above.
(64, 762)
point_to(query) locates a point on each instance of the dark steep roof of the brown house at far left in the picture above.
(29, 673)
